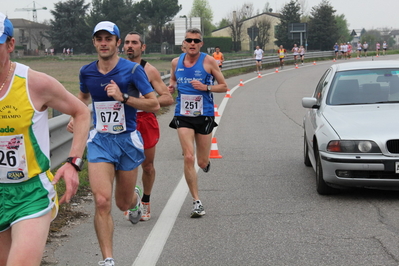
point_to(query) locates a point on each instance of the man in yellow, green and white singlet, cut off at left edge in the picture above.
(29, 200)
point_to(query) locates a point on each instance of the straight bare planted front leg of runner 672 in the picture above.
(101, 176)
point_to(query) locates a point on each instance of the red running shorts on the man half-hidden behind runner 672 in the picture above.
(147, 125)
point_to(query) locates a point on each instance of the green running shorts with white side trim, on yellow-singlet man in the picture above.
(27, 200)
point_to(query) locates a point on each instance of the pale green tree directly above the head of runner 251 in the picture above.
(202, 9)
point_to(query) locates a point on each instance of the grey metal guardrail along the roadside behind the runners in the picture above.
(61, 139)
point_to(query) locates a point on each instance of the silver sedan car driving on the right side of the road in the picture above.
(351, 127)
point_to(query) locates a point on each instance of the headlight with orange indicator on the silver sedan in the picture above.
(353, 146)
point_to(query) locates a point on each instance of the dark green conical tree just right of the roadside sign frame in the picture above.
(323, 31)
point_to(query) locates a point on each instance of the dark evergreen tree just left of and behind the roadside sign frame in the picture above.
(289, 14)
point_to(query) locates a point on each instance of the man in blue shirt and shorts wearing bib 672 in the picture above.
(115, 147)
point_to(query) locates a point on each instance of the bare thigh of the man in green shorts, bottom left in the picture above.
(24, 243)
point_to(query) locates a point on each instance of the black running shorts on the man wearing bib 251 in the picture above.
(201, 124)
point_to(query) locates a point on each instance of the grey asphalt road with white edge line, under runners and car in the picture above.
(261, 203)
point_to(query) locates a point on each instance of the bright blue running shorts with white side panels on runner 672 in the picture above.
(124, 150)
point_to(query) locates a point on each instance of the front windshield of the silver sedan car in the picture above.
(367, 86)
